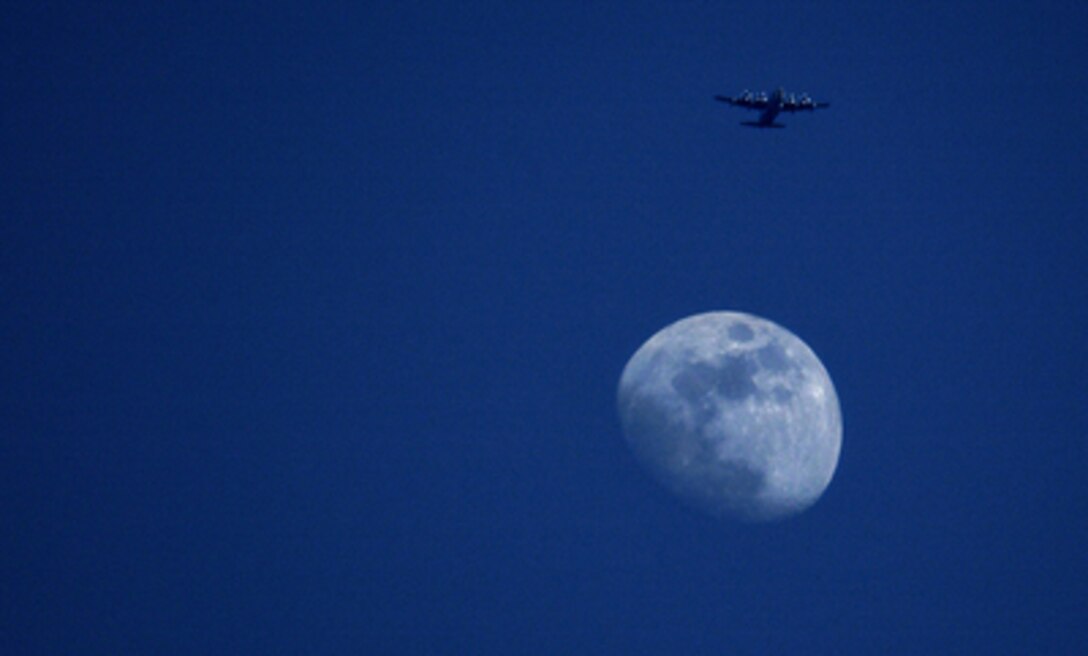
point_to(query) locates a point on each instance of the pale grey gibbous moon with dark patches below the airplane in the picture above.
(735, 415)
